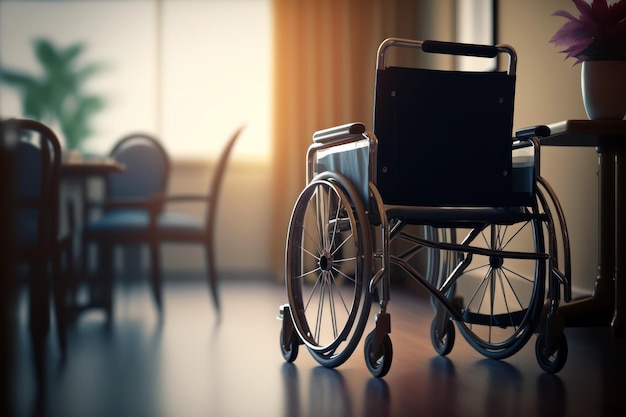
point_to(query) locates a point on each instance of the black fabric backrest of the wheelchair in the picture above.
(445, 137)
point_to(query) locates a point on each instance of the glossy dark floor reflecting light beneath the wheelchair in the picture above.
(192, 365)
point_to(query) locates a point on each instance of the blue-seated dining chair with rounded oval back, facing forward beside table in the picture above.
(124, 215)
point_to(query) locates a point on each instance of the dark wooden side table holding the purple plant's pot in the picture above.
(608, 137)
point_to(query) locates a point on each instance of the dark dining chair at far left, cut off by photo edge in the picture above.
(39, 245)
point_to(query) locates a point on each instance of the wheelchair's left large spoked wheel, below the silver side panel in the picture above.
(328, 267)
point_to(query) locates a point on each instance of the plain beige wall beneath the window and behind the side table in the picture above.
(548, 90)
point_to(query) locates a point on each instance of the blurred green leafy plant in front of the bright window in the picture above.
(57, 96)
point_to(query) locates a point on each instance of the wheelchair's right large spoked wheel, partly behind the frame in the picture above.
(501, 296)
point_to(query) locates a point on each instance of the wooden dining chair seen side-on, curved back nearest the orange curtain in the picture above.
(178, 227)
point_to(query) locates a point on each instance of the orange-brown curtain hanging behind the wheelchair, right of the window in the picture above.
(325, 57)
